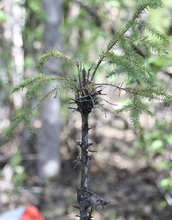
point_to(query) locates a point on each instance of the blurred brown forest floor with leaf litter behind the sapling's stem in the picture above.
(118, 171)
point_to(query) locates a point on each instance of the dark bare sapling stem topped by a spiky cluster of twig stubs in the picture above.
(86, 99)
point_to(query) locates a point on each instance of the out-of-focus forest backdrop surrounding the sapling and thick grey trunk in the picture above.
(132, 169)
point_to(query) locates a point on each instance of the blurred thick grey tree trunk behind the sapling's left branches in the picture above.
(48, 137)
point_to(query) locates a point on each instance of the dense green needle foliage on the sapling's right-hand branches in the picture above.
(129, 53)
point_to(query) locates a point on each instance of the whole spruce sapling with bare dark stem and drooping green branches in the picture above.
(127, 54)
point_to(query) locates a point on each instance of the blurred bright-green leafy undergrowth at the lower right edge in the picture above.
(155, 146)
